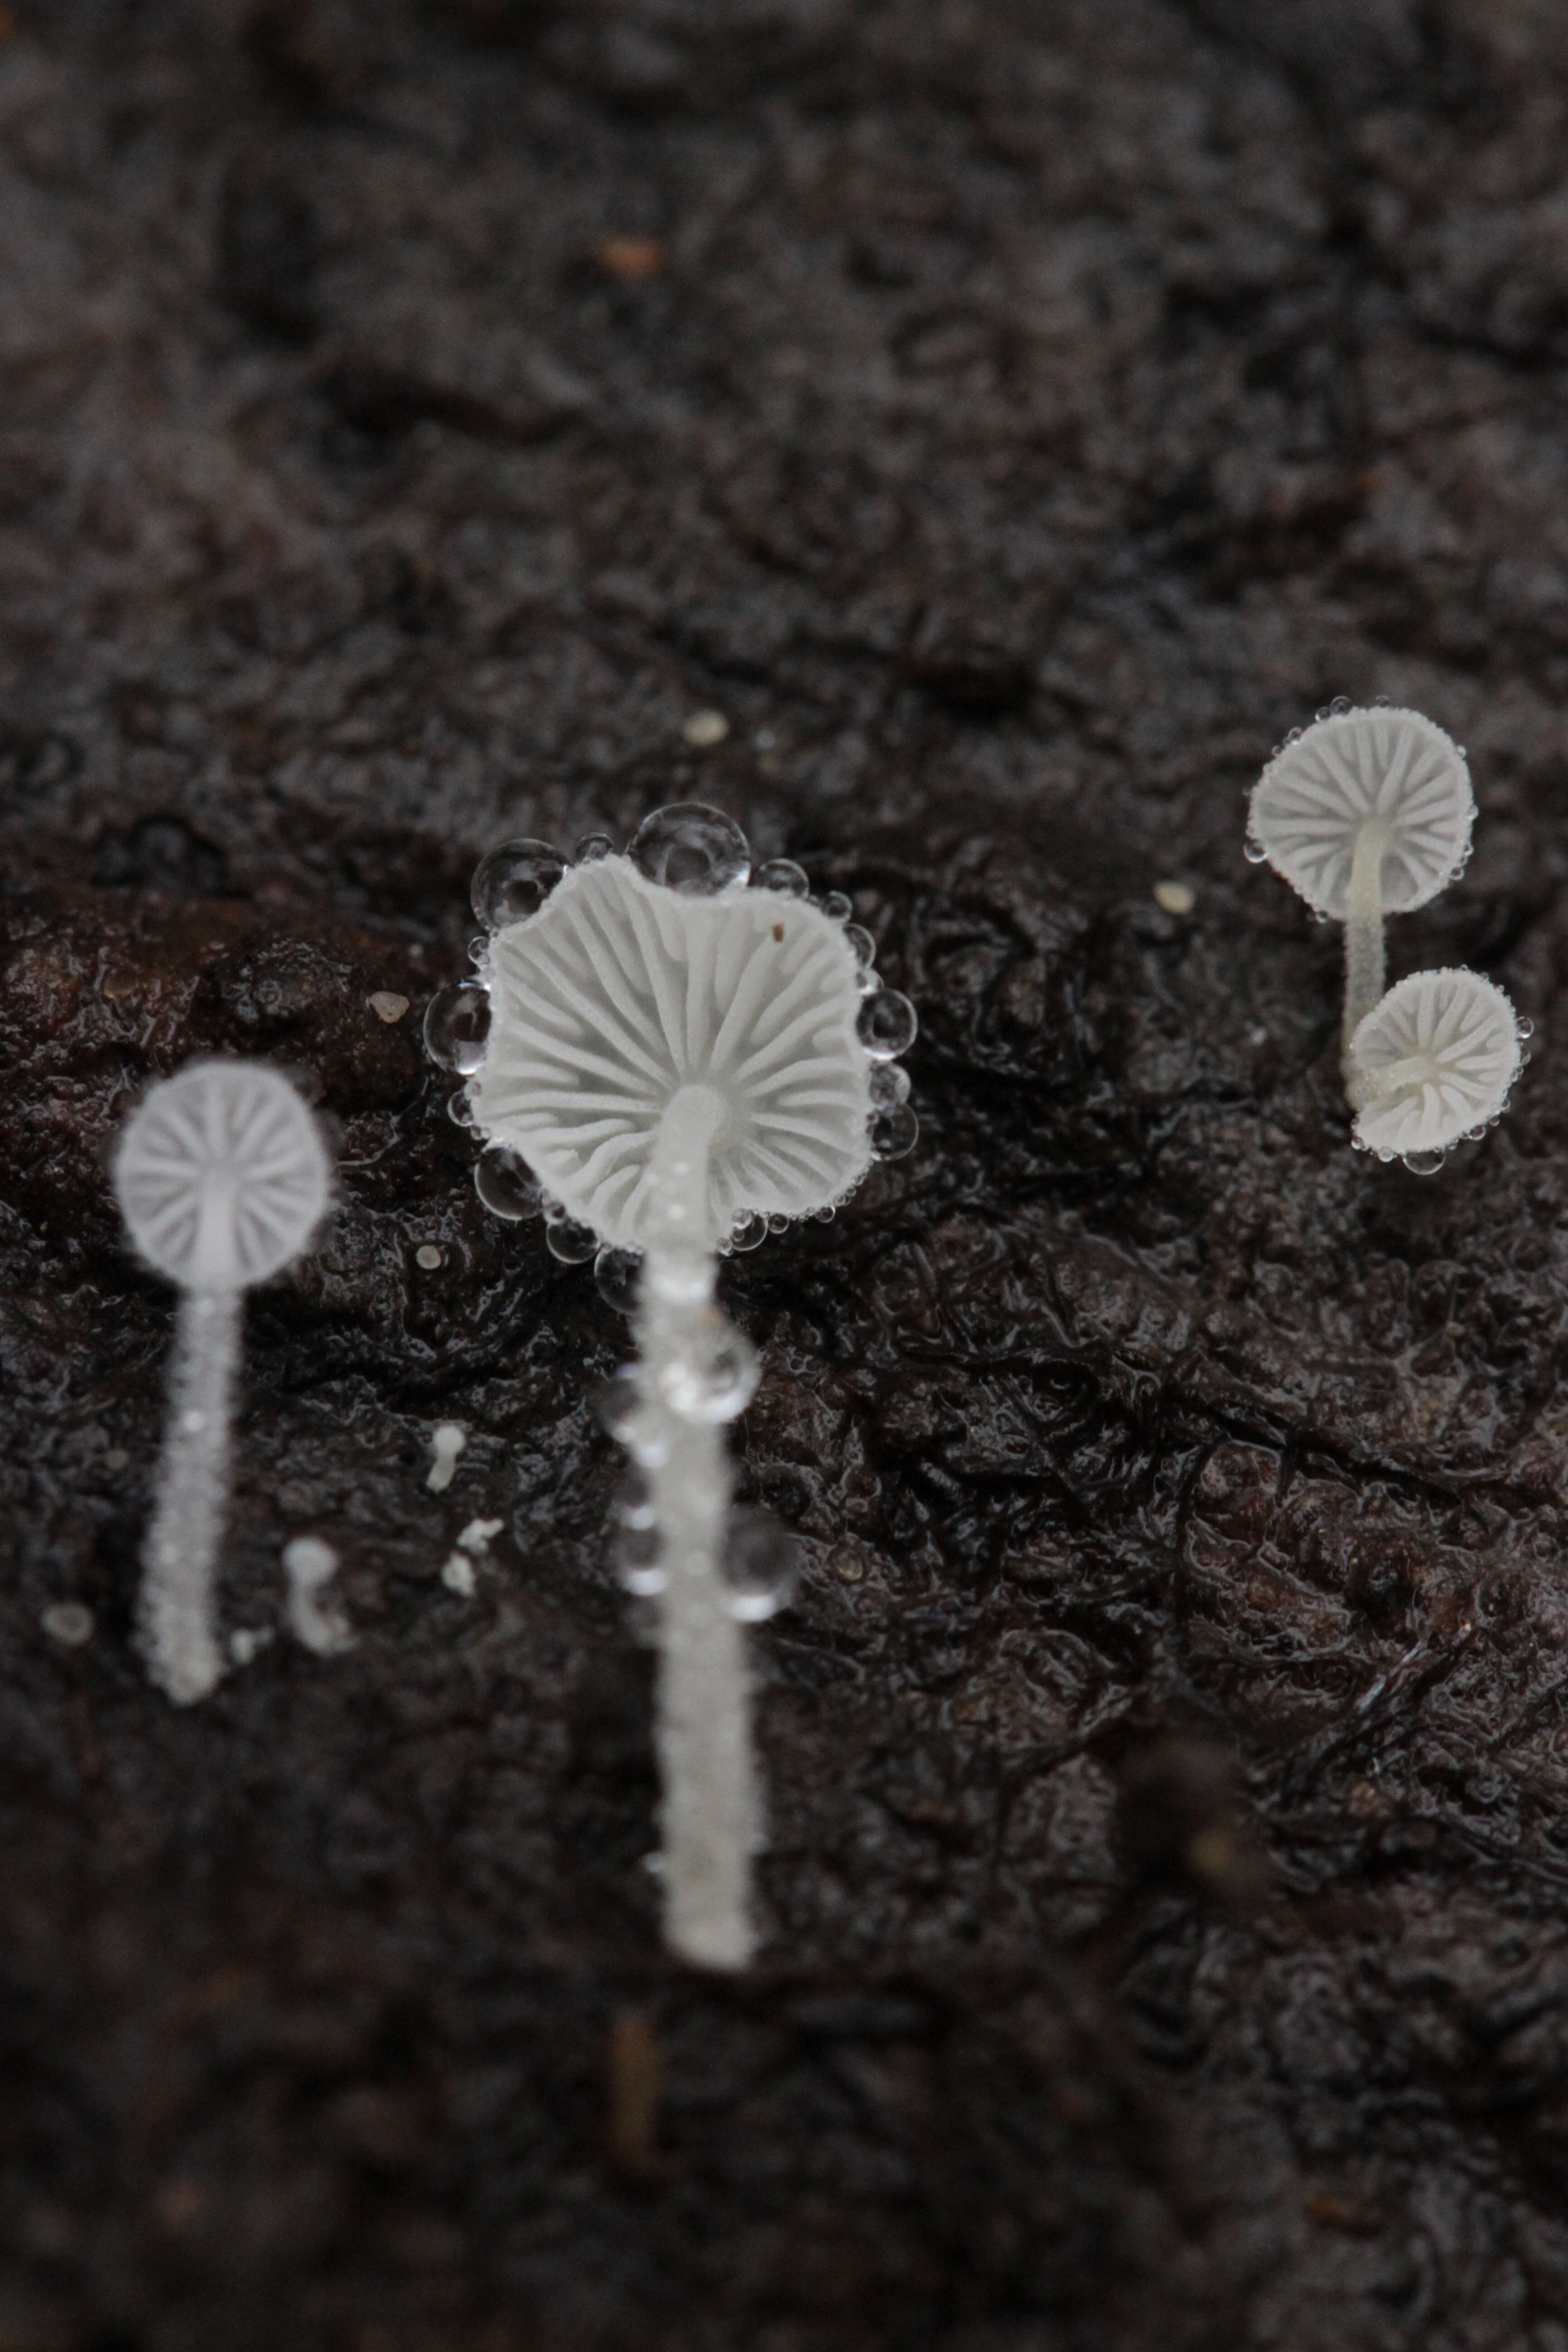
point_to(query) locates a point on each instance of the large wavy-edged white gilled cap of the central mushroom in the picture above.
(624, 991)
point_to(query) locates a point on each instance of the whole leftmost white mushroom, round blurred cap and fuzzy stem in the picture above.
(222, 1180)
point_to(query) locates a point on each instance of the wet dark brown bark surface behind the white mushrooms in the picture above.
(1010, 420)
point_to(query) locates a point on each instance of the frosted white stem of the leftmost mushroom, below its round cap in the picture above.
(175, 1612)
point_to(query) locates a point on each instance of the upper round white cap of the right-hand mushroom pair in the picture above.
(1393, 768)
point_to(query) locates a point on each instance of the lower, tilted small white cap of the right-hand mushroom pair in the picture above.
(1433, 1062)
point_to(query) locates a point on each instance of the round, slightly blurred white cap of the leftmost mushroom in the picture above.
(222, 1175)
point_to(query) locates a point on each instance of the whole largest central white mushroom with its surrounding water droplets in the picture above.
(674, 1064)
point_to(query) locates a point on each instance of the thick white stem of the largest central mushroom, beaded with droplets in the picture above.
(704, 1709)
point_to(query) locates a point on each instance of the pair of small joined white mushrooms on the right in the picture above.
(1369, 815)
